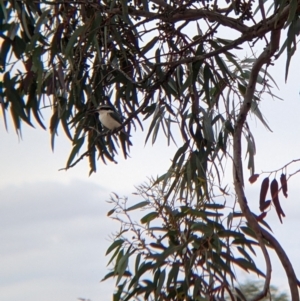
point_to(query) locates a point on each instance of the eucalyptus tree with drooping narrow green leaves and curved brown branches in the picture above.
(182, 66)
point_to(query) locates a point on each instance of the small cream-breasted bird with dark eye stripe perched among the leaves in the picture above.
(111, 120)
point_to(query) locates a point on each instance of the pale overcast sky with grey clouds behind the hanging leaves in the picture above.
(53, 226)
